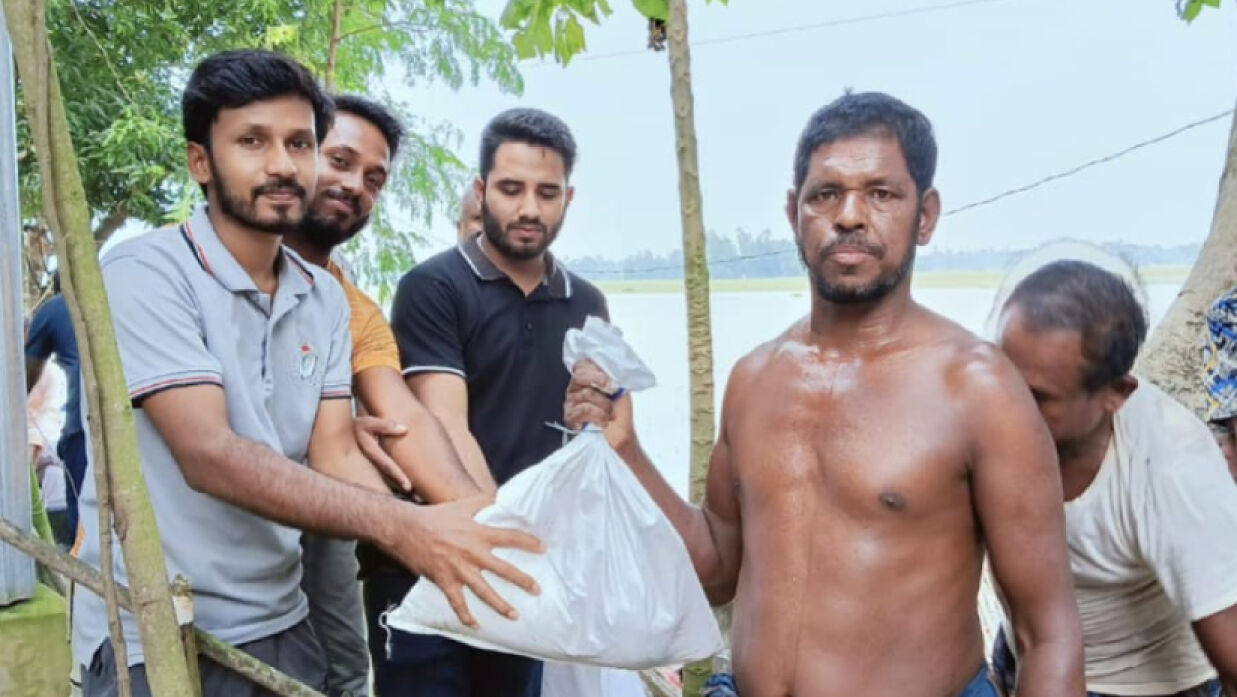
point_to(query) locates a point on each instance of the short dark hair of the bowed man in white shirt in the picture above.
(1100, 305)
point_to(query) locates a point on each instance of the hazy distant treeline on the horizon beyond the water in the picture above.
(765, 257)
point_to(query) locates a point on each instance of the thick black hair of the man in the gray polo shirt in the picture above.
(231, 80)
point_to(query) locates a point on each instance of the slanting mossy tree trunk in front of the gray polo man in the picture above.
(112, 428)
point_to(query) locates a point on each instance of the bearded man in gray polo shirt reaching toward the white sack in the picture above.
(237, 358)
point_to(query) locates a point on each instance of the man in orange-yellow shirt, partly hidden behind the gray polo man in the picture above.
(354, 167)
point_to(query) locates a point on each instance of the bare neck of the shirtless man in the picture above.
(862, 327)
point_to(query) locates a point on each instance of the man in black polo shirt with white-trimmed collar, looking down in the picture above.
(481, 331)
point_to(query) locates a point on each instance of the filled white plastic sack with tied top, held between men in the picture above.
(618, 587)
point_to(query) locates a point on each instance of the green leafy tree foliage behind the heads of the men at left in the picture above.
(123, 67)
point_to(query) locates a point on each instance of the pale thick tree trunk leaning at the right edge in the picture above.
(1173, 356)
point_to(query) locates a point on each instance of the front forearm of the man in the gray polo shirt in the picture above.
(263, 482)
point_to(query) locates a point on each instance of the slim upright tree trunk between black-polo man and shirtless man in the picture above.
(696, 279)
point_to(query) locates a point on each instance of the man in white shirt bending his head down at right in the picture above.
(1151, 509)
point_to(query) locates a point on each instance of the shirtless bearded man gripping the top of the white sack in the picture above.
(869, 455)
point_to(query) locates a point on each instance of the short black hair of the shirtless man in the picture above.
(867, 113)
